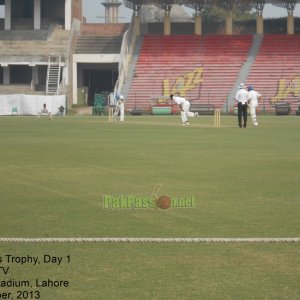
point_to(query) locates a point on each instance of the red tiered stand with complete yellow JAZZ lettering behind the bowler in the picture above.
(203, 68)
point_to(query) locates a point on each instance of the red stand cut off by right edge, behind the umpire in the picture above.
(276, 71)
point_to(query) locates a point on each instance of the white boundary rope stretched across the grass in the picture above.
(150, 240)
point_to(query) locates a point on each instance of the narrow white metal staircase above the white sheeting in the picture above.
(53, 75)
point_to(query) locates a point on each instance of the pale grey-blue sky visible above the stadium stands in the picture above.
(93, 10)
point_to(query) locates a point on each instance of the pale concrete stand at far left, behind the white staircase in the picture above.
(22, 49)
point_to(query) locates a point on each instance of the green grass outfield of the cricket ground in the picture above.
(245, 183)
